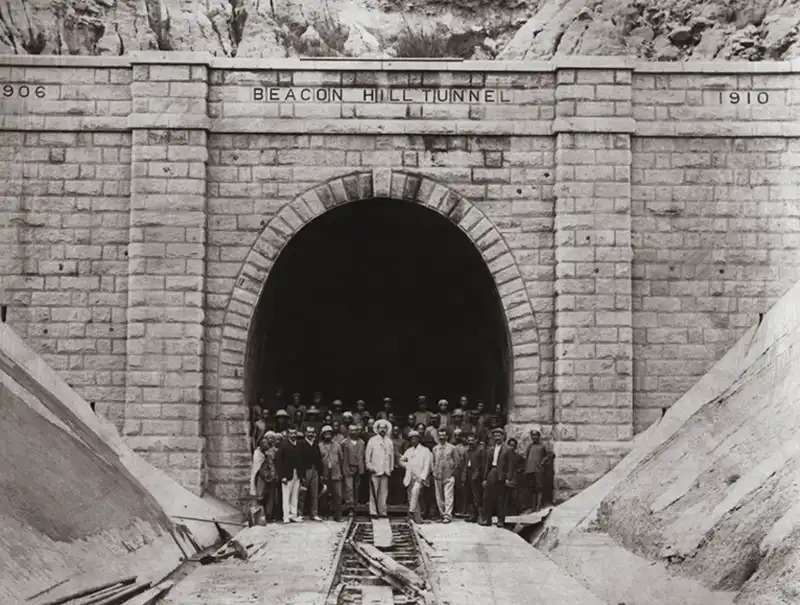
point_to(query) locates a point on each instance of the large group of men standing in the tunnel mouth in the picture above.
(321, 459)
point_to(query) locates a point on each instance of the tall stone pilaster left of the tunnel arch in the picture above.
(166, 257)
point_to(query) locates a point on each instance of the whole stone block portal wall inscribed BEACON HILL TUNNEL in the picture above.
(644, 219)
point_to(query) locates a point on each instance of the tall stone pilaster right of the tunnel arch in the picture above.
(593, 326)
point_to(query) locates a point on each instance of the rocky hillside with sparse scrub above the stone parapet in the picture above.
(664, 30)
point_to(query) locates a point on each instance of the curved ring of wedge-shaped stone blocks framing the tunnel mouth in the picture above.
(365, 185)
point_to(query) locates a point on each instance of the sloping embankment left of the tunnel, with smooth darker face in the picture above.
(77, 506)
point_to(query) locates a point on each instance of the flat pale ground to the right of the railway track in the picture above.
(475, 565)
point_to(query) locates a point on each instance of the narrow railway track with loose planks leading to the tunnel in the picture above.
(353, 573)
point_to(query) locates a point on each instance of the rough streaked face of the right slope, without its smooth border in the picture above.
(718, 501)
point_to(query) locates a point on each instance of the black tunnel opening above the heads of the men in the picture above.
(379, 298)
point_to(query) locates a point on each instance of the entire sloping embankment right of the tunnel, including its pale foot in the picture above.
(708, 497)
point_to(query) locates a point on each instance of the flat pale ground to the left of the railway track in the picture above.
(294, 567)
